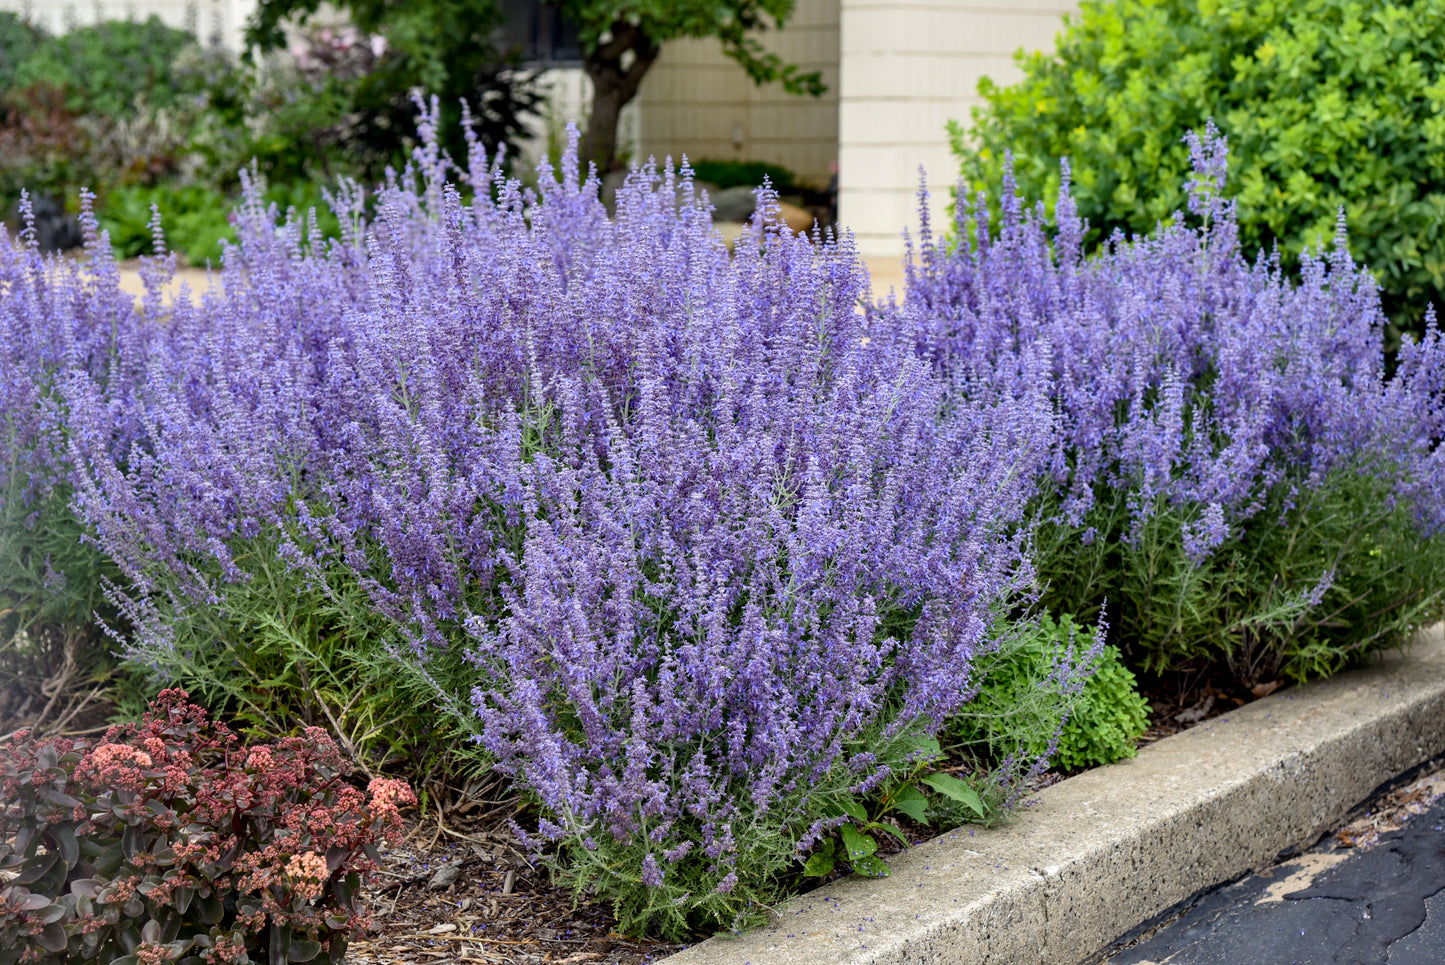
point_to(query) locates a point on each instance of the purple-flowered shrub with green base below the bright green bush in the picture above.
(1233, 473)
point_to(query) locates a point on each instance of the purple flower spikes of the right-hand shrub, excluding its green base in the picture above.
(1199, 395)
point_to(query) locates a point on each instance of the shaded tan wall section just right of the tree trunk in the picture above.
(697, 102)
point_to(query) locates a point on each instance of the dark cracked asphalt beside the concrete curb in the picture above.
(1358, 898)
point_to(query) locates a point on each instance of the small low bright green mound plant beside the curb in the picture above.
(1097, 726)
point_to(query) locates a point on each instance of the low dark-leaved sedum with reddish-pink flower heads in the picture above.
(167, 841)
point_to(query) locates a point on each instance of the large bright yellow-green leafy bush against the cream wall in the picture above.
(1326, 103)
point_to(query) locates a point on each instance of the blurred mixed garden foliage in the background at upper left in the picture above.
(180, 119)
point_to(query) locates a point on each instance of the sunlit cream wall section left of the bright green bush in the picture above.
(908, 69)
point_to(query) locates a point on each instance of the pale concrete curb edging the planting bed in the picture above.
(1097, 854)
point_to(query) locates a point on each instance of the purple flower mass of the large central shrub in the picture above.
(710, 538)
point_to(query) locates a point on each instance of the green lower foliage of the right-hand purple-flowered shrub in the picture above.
(1342, 573)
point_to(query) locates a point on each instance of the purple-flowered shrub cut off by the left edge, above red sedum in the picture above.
(57, 316)
